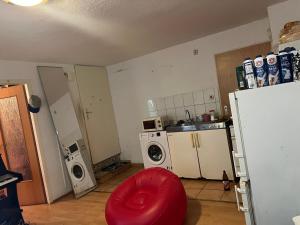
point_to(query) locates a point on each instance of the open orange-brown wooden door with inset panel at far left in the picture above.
(17, 144)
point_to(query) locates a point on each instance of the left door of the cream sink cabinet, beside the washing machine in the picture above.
(183, 153)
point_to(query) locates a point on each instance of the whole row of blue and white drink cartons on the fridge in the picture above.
(270, 70)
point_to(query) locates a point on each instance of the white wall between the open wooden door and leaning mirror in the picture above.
(54, 174)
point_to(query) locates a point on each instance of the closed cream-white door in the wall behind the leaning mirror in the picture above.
(98, 112)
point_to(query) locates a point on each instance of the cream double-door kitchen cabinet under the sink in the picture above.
(198, 154)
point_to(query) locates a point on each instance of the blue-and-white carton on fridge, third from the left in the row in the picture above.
(260, 64)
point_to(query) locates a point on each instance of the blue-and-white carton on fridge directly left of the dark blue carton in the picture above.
(273, 69)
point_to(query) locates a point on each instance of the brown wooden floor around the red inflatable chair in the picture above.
(89, 210)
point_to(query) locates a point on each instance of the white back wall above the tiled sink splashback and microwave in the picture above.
(167, 72)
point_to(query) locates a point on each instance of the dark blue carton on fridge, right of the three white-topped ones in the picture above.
(286, 67)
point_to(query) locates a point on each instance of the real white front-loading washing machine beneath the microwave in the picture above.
(155, 150)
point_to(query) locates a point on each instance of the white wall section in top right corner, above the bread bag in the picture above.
(280, 14)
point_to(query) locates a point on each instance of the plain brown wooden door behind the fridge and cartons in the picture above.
(226, 68)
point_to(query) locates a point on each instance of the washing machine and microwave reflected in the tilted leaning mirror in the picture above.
(80, 170)
